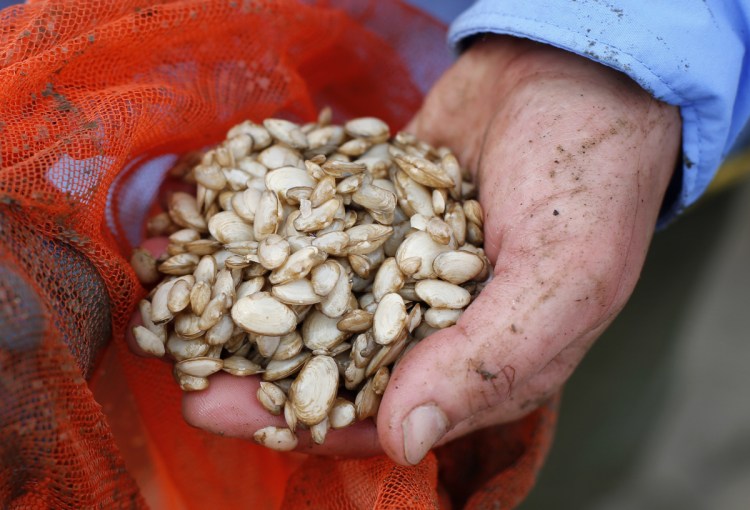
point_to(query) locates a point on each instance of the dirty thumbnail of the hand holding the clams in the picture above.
(422, 428)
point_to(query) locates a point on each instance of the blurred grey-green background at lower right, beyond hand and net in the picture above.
(657, 415)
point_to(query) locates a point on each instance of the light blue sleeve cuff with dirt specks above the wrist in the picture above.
(689, 53)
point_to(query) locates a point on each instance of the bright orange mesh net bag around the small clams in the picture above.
(96, 96)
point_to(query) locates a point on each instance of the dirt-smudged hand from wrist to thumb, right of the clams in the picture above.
(572, 161)
